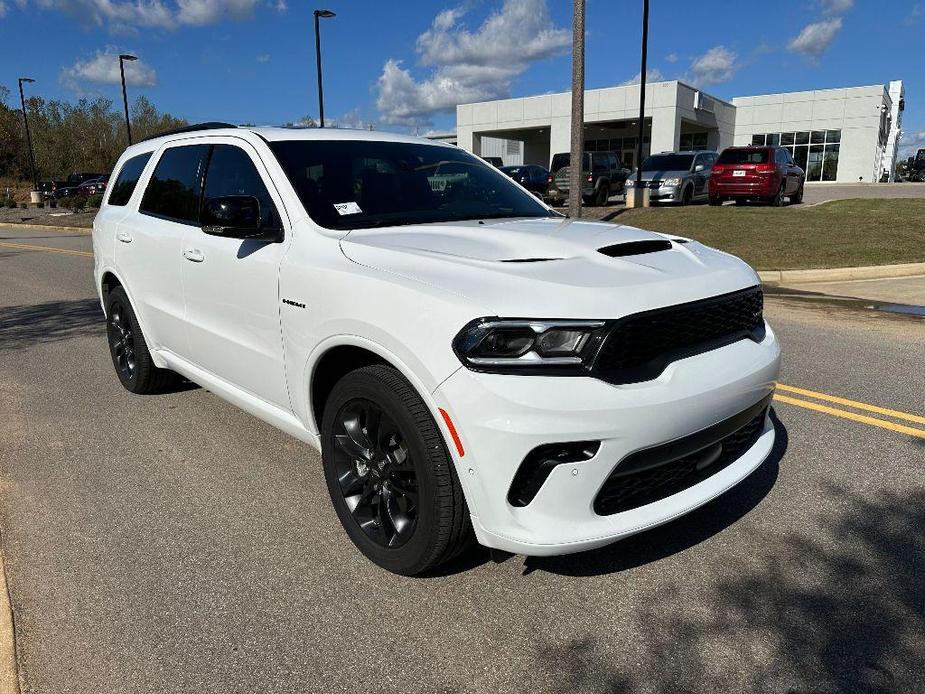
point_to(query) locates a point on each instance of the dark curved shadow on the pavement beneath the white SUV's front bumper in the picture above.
(678, 535)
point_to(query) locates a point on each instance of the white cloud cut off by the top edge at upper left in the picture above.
(124, 15)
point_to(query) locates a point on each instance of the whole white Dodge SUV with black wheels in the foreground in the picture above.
(468, 362)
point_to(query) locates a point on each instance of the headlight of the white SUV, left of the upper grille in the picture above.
(524, 346)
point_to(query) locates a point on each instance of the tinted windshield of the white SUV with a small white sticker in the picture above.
(354, 184)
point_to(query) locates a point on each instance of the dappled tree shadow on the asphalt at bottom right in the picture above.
(837, 607)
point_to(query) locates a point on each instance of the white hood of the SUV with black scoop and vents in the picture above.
(551, 267)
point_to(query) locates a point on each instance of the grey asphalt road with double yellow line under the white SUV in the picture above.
(175, 544)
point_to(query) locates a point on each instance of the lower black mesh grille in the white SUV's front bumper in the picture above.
(657, 473)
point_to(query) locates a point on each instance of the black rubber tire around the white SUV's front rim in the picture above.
(416, 552)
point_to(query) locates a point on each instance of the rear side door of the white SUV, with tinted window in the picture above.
(149, 243)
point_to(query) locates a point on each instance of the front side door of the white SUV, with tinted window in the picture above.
(231, 285)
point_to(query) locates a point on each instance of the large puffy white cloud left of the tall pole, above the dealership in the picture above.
(469, 65)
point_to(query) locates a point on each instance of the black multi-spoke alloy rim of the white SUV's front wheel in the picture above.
(375, 473)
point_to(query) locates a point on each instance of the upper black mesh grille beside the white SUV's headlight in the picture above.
(639, 347)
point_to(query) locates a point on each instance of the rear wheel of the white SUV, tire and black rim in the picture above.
(129, 351)
